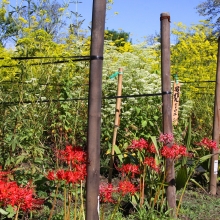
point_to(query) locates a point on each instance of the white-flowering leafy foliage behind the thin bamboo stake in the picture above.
(139, 116)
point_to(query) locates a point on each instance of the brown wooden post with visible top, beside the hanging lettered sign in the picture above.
(167, 106)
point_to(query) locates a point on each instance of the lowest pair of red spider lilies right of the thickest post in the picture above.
(107, 191)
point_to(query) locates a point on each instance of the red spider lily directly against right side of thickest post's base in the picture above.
(106, 192)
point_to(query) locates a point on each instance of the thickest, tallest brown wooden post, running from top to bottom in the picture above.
(94, 110)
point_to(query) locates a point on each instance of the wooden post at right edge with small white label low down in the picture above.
(216, 129)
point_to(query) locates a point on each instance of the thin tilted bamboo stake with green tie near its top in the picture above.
(116, 125)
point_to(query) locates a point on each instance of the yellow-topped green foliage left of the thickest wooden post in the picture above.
(32, 121)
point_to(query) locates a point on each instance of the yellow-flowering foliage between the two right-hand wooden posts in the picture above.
(194, 58)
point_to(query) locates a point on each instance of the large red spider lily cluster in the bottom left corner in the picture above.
(16, 196)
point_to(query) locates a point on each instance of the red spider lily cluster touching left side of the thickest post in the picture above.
(75, 157)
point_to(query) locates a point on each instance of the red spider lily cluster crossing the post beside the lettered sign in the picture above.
(174, 152)
